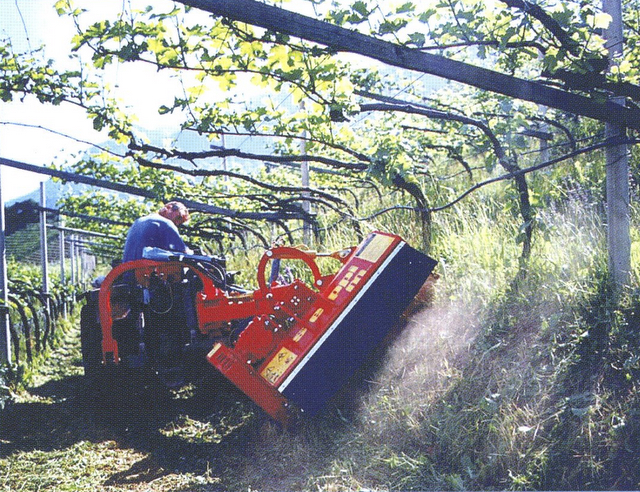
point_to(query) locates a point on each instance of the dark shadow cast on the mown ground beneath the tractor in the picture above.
(197, 430)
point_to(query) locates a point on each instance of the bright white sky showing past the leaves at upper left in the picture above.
(31, 24)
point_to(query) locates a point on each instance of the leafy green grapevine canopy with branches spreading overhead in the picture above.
(251, 104)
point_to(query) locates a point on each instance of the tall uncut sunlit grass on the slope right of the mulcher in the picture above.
(473, 394)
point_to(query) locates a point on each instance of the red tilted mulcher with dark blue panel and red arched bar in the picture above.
(292, 343)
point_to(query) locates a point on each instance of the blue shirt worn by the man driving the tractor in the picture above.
(155, 231)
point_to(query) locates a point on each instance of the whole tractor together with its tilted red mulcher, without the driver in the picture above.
(289, 345)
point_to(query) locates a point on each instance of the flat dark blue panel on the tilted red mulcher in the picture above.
(360, 328)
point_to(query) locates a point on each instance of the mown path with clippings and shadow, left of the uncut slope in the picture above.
(53, 438)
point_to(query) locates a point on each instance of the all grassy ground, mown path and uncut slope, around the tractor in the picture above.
(501, 384)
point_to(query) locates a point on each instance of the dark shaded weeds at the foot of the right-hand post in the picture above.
(596, 435)
